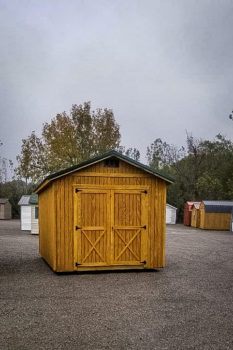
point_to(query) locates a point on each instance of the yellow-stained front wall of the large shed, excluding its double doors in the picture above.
(99, 175)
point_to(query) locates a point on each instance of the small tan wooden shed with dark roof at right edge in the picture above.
(216, 215)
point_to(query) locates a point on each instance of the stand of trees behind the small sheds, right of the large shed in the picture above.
(202, 169)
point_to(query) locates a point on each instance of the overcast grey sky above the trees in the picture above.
(162, 66)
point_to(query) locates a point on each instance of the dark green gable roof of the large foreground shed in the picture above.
(98, 159)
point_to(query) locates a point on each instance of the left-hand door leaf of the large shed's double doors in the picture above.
(93, 227)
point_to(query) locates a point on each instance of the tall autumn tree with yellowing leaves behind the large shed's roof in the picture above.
(67, 140)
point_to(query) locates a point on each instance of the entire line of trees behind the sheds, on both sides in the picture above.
(202, 169)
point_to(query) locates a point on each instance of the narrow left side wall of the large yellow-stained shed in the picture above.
(47, 228)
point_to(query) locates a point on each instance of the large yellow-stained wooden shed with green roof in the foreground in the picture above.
(102, 214)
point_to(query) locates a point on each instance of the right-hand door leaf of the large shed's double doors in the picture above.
(129, 227)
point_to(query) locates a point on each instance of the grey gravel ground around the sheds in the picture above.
(187, 305)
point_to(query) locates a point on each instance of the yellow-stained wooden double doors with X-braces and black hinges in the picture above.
(111, 227)
